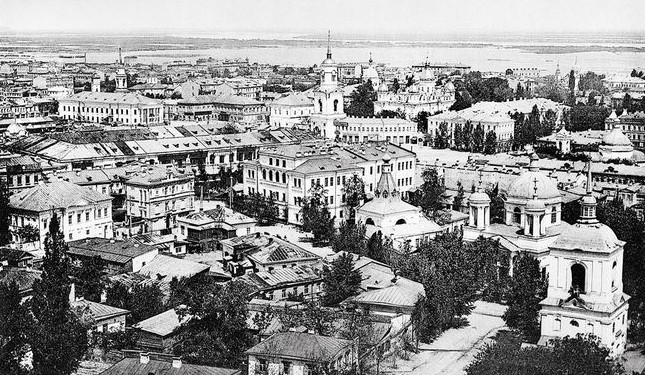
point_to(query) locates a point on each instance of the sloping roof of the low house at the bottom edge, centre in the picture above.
(300, 345)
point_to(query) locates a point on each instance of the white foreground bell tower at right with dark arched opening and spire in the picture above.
(585, 293)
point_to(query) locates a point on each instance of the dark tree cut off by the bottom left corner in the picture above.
(15, 323)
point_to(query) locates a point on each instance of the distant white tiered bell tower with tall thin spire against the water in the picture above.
(328, 98)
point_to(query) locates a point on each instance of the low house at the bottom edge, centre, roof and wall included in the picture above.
(302, 353)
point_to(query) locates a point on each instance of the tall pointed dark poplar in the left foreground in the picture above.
(58, 339)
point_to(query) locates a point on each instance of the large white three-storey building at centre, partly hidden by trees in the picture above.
(288, 173)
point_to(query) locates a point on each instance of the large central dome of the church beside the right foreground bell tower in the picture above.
(523, 187)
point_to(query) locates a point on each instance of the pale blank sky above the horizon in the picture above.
(364, 17)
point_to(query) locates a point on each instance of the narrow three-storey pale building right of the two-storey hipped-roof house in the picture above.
(155, 196)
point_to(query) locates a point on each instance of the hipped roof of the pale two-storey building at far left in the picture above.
(59, 194)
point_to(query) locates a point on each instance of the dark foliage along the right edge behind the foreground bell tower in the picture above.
(627, 227)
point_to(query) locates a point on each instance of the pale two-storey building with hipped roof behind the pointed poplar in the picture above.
(82, 212)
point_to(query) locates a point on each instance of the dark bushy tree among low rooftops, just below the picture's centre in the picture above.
(341, 280)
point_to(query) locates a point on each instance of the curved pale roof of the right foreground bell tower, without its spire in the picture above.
(596, 238)
